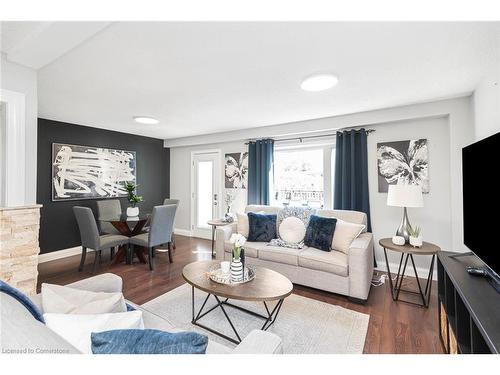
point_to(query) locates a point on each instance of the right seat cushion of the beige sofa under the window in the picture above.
(328, 261)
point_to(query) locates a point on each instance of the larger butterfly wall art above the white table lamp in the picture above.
(403, 161)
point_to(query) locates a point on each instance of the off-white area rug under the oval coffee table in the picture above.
(306, 326)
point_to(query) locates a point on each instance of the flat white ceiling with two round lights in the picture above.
(200, 78)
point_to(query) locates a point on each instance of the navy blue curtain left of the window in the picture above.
(260, 170)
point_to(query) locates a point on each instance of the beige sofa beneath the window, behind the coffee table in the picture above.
(348, 274)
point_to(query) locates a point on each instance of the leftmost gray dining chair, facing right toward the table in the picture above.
(90, 237)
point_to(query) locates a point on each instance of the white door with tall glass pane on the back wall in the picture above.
(205, 190)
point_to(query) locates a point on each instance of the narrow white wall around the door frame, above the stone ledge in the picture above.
(23, 80)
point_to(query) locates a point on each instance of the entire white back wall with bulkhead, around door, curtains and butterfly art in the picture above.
(449, 126)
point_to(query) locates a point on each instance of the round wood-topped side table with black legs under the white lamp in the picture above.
(407, 252)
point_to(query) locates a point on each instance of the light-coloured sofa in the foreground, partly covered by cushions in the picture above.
(22, 333)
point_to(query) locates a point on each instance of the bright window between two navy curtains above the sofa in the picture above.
(299, 177)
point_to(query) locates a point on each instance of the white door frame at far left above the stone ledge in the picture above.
(15, 141)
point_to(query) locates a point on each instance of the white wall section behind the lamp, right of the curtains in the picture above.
(435, 217)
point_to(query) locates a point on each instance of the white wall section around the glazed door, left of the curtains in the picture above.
(180, 174)
